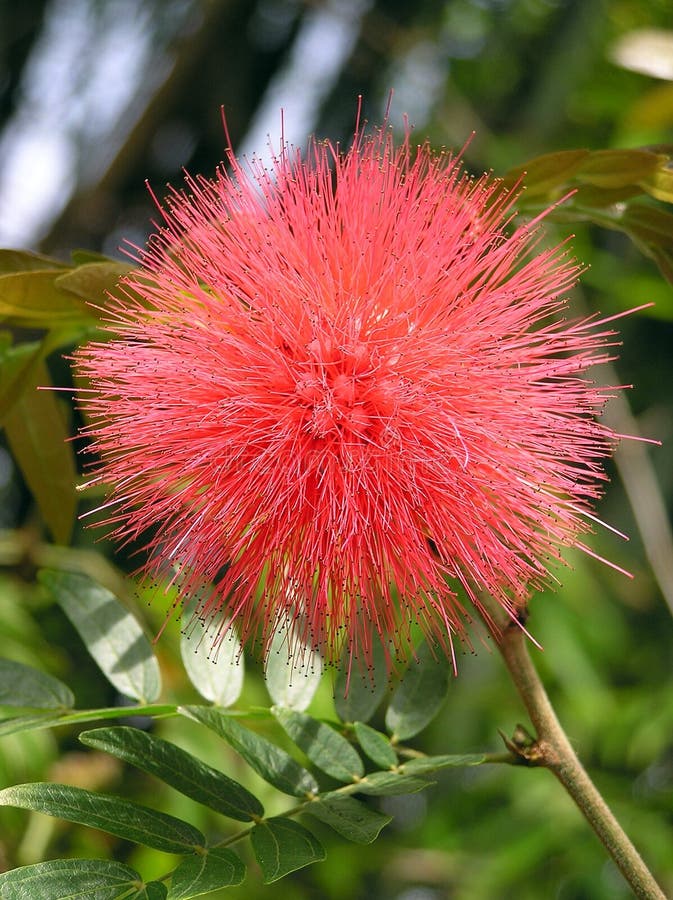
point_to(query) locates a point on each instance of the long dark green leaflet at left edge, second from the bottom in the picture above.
(122, 818)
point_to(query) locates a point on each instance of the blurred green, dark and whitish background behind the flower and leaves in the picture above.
(96, 96)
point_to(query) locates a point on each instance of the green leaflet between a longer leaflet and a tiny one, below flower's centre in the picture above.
(325, 747)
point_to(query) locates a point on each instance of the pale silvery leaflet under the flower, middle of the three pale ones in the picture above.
(216, 674)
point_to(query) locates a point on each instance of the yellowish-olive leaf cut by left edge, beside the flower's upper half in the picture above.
(32, 300)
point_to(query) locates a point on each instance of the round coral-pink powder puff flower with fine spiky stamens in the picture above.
(343, 394)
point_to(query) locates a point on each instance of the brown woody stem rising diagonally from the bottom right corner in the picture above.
(553, 750)
